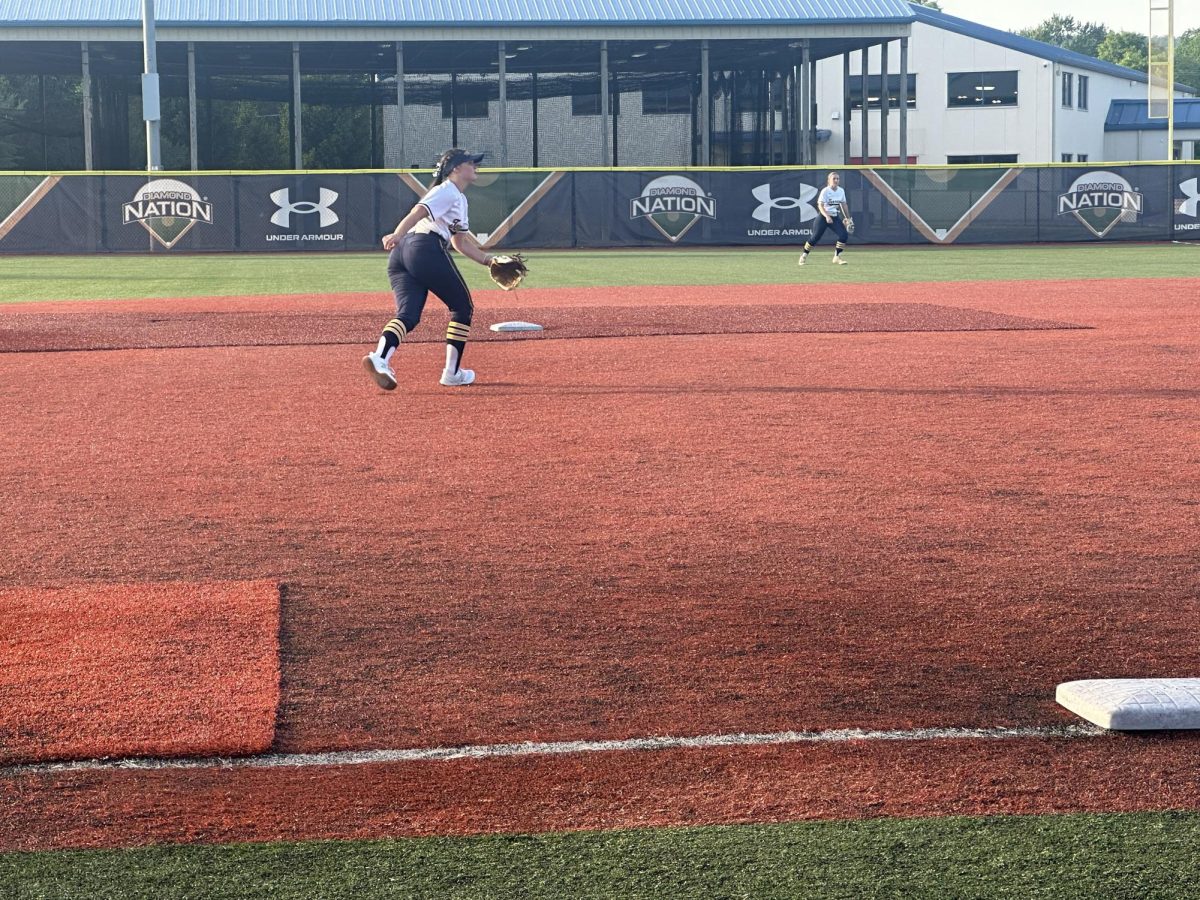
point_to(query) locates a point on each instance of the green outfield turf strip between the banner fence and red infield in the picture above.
(105, 278)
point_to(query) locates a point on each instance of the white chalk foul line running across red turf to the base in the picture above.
(561, 748)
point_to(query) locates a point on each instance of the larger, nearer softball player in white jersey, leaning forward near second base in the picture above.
(421, 262)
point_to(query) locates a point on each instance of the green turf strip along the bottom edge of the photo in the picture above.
(1078, 856)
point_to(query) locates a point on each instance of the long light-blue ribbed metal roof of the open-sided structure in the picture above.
(449, 13)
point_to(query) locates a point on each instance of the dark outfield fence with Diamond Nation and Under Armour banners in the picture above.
(518, 209)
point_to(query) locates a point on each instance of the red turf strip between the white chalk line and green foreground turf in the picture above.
(595, 791)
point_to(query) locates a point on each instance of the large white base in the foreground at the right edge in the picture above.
(1135, 704)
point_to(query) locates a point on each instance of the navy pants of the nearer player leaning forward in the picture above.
(422, 263)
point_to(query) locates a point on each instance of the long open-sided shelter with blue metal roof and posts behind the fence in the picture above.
(283, 85)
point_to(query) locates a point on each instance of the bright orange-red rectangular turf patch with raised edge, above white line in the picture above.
(139, 670)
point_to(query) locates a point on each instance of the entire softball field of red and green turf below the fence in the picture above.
(741, 580)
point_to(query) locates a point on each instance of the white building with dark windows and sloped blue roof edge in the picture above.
(979, 94)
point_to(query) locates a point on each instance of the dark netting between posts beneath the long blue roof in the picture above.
(353, 117)
